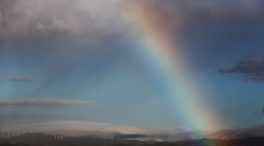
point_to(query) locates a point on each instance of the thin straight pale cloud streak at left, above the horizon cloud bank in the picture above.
(44, 102)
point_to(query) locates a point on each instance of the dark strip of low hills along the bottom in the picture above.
(58, 140)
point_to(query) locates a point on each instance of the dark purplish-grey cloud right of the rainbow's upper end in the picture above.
(190, 17)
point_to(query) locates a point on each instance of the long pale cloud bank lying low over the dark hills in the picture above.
(82, 127)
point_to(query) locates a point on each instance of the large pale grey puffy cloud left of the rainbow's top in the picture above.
(30, 20)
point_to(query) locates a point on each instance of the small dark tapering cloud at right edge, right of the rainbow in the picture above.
(252, 67)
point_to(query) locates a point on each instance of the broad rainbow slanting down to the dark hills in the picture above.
(158, 48)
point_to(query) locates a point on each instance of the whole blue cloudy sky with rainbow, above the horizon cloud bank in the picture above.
(141, 63)
